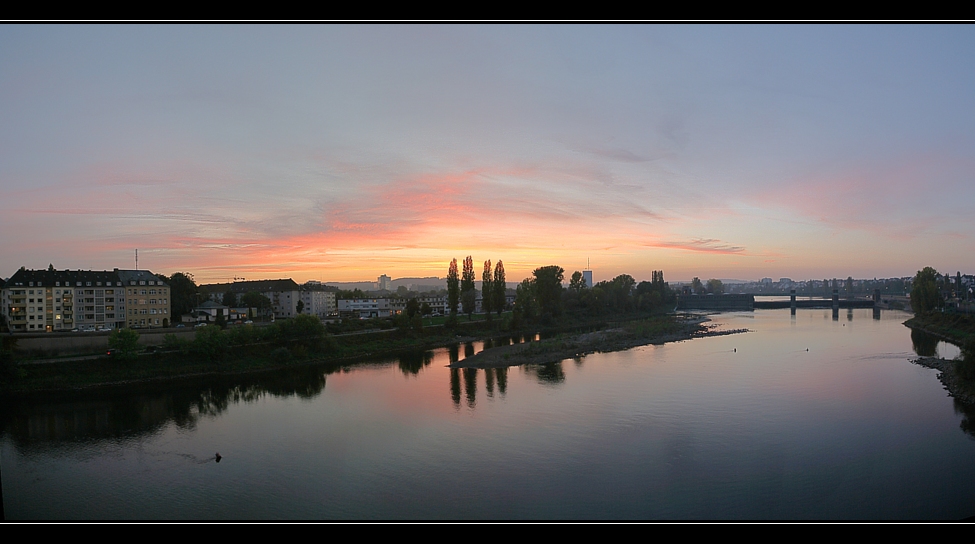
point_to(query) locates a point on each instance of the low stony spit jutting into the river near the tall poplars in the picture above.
(630, 335)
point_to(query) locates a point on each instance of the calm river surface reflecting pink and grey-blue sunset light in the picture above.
(747, 426)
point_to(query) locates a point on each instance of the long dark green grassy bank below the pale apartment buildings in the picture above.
(246, 350)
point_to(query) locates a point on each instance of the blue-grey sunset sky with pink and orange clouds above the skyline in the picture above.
(342, 152)
